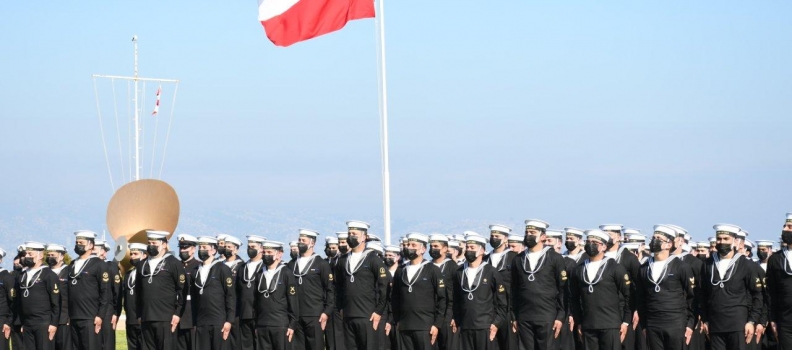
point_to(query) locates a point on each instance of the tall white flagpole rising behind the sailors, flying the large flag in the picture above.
(384, 126)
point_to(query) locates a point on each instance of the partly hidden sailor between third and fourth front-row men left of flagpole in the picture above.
(246, 293)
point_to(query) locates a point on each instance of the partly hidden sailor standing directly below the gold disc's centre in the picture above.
(137, 253)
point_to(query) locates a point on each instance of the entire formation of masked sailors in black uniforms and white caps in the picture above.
(610, 290)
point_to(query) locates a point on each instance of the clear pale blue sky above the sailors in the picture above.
(576, 112)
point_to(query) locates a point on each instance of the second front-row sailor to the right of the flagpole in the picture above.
(480, 299)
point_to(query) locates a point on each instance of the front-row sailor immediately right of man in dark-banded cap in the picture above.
(213, 298)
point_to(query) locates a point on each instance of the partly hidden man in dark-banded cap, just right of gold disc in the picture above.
(185, 337)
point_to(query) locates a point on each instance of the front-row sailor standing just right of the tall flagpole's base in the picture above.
(418, 298)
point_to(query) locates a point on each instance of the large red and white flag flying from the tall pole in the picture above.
(290, 21)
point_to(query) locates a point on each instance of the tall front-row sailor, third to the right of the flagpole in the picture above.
(538, 289)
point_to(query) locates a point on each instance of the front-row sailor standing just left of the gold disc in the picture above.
(89, 293)
